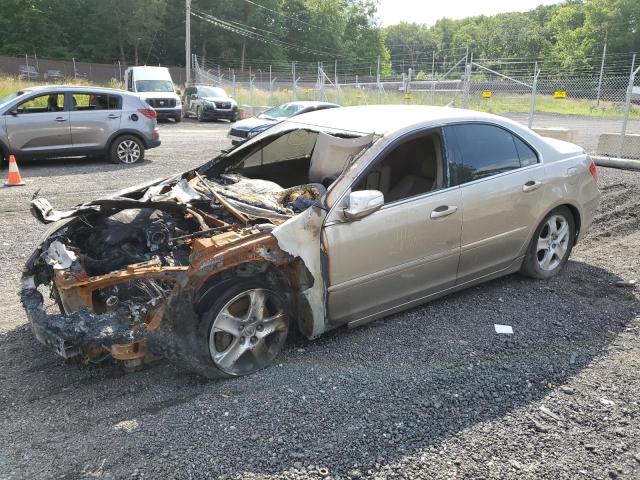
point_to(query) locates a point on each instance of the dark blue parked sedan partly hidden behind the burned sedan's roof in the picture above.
(250, 127)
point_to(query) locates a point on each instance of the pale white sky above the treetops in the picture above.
(391, 12)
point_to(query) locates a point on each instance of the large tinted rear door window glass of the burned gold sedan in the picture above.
(482, 151)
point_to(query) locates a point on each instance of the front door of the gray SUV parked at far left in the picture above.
(39, 124)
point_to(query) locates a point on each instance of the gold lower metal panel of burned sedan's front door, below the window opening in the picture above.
(393, 256)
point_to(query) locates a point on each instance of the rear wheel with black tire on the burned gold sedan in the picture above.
(532, 266)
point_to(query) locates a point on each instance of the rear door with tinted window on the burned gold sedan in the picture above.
(501, 182)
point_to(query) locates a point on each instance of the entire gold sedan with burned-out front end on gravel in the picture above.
(332, 218)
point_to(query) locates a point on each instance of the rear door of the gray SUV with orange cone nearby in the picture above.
(94, 118)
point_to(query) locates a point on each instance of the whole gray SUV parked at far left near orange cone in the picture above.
(65, 121)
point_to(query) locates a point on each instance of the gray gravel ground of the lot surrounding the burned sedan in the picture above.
(430, 393)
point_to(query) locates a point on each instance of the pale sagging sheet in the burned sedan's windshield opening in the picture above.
(331, 154)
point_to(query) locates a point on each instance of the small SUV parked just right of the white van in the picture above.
(208, 103)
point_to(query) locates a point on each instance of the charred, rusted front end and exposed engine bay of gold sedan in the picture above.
(115, 269)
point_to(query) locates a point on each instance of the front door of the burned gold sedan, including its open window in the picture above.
(409, 248)
